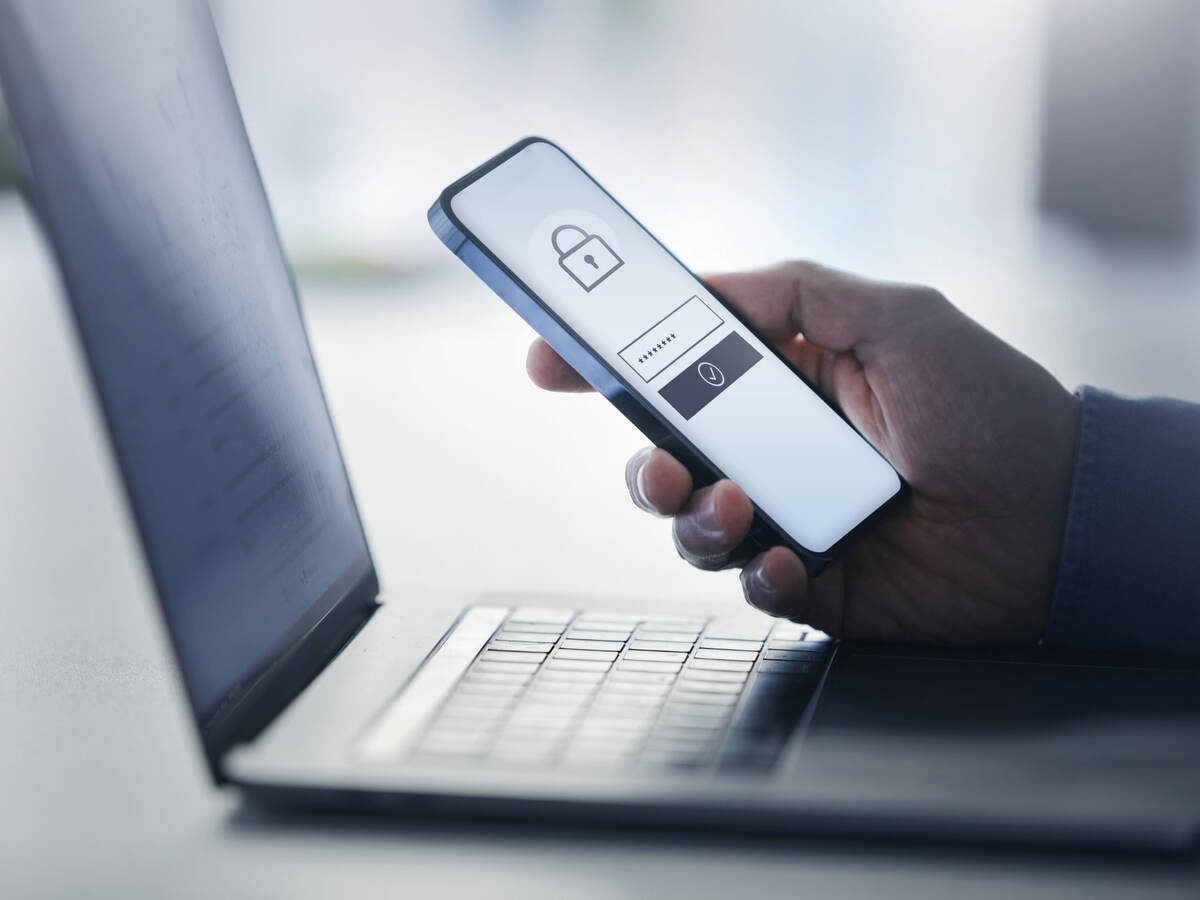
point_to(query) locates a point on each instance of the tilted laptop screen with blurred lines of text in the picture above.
(145, 181)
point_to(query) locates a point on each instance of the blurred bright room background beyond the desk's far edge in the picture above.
(1037, 160)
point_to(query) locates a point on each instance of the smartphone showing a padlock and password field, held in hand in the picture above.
(665, 349)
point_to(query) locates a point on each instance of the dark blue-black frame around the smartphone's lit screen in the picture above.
(836, 550)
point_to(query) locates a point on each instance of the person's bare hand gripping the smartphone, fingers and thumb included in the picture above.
(983, 435)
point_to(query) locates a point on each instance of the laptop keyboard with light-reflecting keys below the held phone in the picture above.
(602, 692)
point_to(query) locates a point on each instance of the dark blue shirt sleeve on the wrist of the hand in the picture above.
(1130, 574)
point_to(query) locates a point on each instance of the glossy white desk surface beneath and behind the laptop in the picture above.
(467, 478)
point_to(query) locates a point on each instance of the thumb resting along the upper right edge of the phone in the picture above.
(831, 309)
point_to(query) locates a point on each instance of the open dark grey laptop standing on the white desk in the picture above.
(309, 688)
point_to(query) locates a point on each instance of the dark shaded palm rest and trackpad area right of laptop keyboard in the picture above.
(1006, 737)
